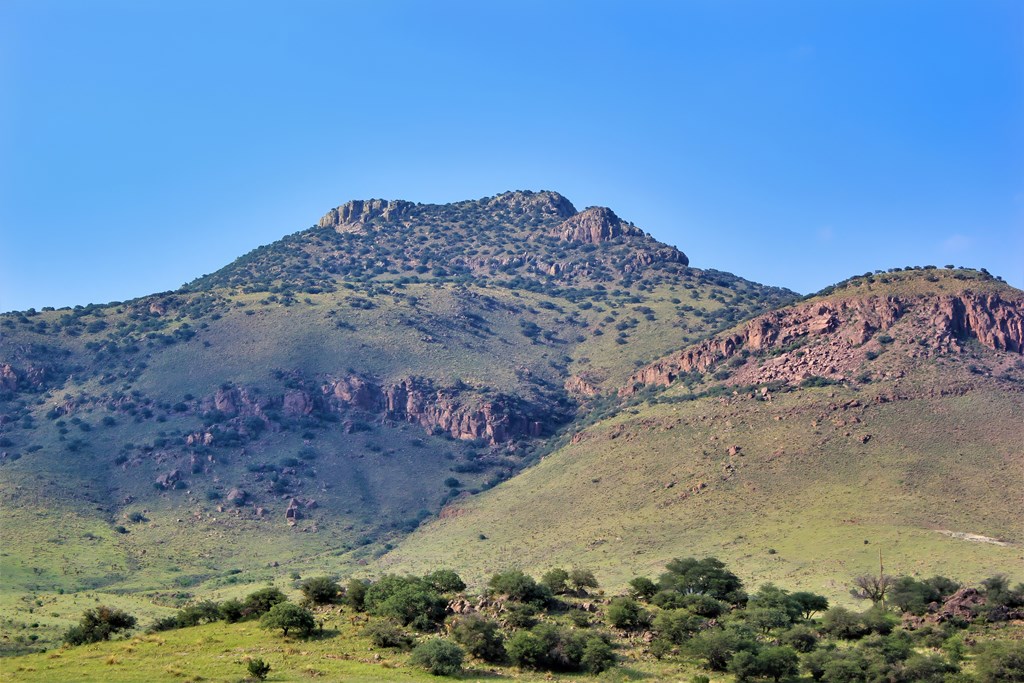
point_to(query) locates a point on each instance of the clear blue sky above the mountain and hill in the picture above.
(144, 144)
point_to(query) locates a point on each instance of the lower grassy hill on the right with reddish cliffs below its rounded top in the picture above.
(878, 420)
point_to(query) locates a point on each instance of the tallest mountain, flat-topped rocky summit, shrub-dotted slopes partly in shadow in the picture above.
(317, 400)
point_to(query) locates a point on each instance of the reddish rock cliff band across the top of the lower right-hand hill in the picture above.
(831, 335)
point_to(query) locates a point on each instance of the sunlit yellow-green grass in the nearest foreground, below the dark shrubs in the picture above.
(220, 653)
